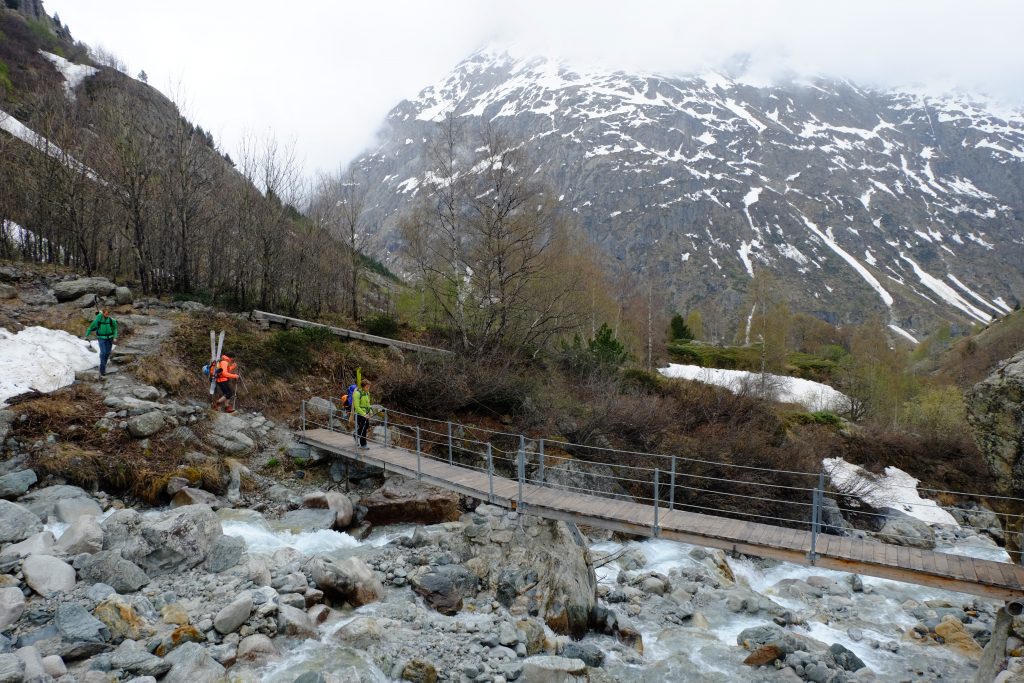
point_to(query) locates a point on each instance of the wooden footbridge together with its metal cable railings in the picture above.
(637, 494)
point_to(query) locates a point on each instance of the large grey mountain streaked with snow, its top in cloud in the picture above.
(861, 201)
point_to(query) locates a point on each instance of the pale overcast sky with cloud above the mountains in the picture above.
(323, 74)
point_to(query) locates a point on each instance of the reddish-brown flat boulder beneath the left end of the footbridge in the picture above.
(402, 500)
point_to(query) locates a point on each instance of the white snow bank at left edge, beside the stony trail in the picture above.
(42, 360)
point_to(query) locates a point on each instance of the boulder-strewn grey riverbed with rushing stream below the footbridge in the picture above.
(300, 580)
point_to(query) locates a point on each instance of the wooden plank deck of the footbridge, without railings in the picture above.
(984, 578)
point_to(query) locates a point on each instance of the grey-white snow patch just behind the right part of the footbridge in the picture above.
(895, 489)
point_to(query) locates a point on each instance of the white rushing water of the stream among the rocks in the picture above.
(870, 622)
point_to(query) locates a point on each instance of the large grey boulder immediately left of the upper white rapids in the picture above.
(180, 541)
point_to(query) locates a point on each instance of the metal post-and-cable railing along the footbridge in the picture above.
(779, 497)
